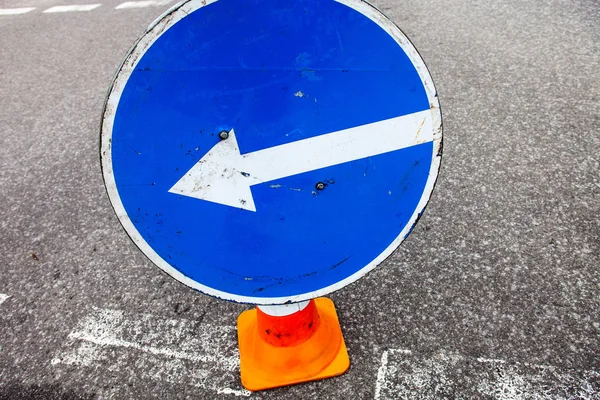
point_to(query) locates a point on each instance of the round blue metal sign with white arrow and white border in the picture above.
(271, 151)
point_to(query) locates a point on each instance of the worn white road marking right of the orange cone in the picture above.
(402, 375)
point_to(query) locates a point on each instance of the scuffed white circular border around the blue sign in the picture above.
(154, 31)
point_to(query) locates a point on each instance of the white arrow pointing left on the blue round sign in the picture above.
(225, 176)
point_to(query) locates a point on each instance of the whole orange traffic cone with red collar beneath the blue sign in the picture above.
(284, 345)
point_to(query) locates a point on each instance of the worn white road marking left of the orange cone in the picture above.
(178, 351)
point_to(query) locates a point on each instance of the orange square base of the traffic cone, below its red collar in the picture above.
(263, 366)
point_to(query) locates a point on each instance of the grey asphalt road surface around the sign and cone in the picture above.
(495, 294)
